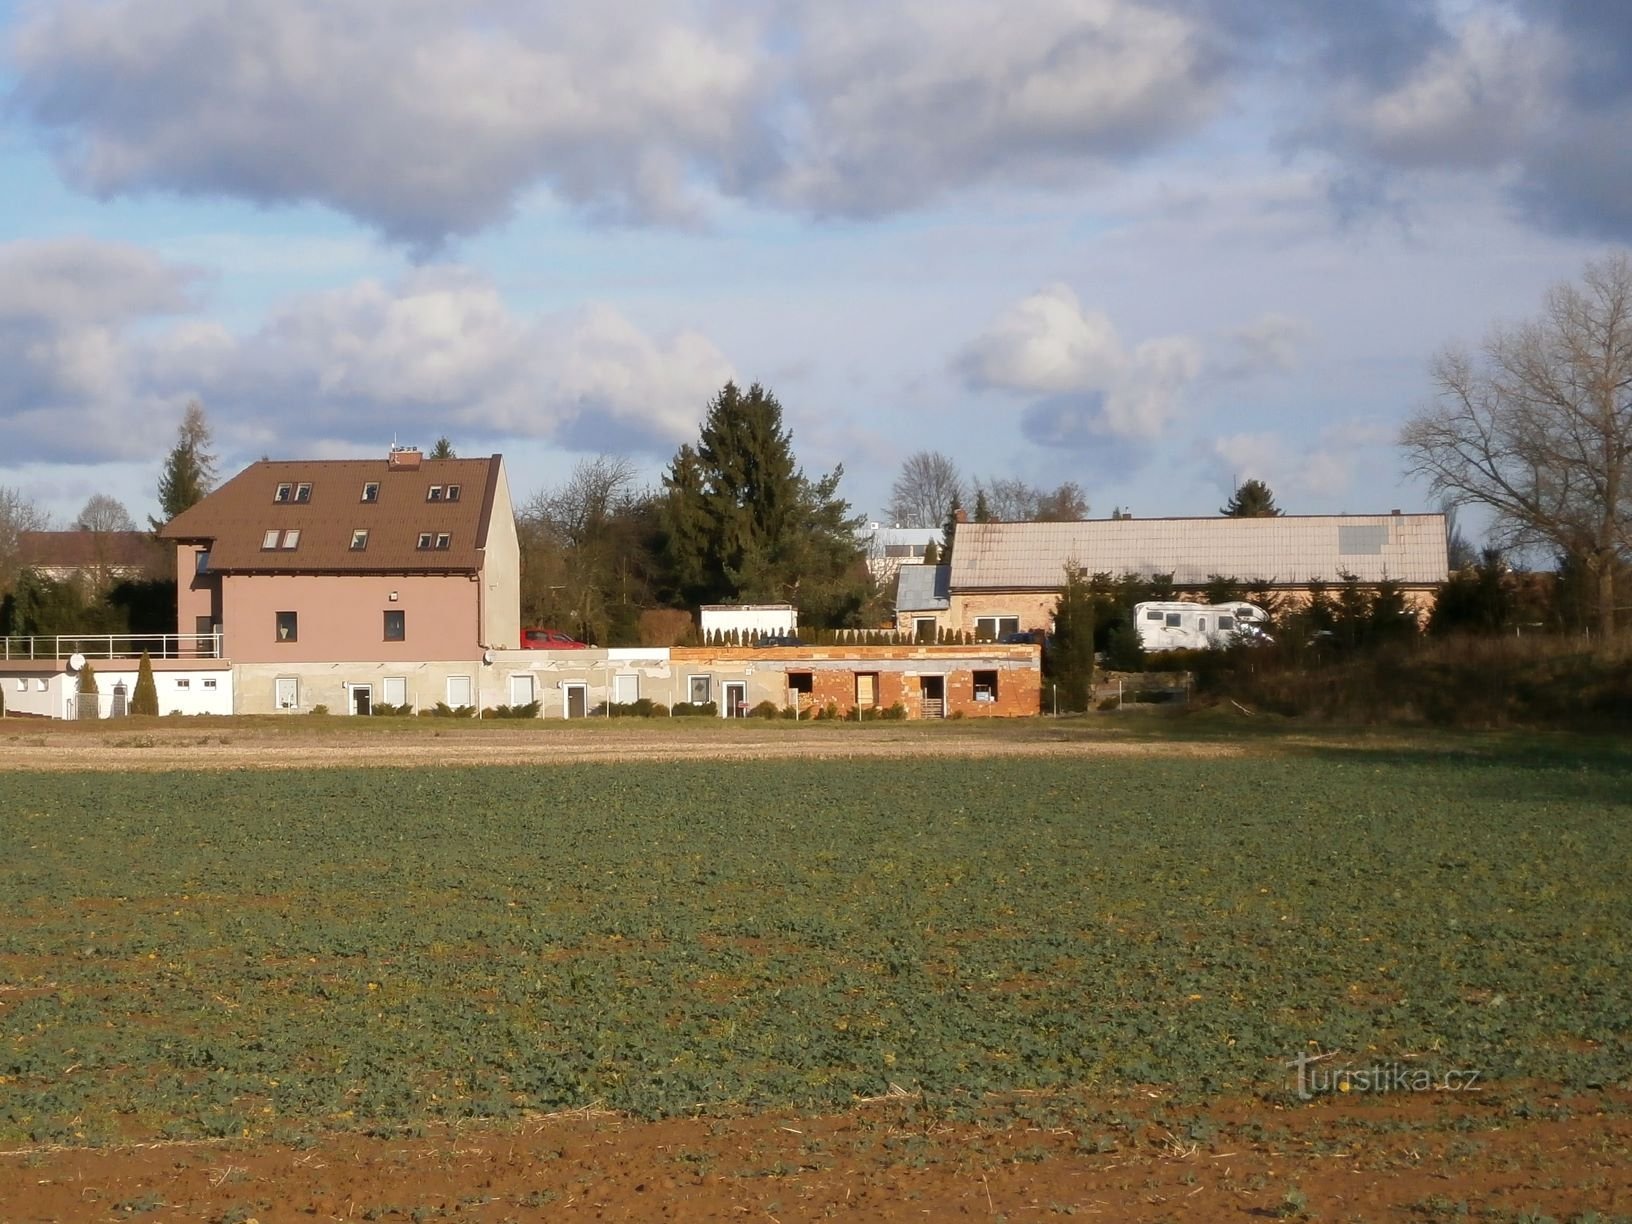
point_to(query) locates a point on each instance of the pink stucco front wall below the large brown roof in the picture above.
(342, 618)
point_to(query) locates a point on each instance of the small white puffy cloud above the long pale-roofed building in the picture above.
(1047, 345)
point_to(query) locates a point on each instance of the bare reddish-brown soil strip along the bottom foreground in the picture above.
(1377, 1160)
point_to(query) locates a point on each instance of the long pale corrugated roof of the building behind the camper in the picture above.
(1285, 551)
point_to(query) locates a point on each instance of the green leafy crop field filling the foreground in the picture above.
(278, 954)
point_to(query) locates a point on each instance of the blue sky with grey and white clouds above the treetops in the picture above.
(1155, 247)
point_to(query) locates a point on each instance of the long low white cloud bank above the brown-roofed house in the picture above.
(438, 352)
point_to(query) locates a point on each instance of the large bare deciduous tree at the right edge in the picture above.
(1540, 428)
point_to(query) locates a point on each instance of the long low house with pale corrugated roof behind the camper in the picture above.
(1006, 577)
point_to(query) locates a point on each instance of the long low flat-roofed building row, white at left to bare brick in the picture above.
(923, 681)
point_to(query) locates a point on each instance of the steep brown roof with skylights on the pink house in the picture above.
(236, 518)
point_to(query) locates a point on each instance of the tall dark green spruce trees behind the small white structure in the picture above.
(745, 523)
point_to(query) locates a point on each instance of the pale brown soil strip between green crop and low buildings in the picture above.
(308, 743)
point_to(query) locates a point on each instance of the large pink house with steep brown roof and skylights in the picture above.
(386, 570)
